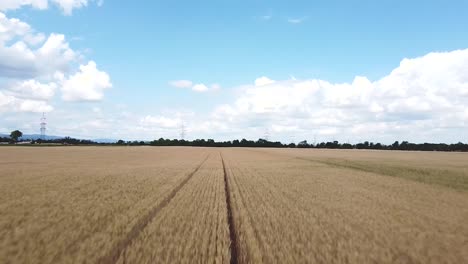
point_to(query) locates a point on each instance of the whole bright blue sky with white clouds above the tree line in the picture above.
(144, 48)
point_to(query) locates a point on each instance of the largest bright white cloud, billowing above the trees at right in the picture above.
(421, 95)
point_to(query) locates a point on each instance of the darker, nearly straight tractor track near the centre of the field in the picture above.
(234, 246)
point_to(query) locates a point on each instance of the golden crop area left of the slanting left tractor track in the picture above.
(74, 214)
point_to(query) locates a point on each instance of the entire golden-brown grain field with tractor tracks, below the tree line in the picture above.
(214, 205)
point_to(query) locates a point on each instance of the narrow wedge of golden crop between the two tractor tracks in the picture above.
(192, 227)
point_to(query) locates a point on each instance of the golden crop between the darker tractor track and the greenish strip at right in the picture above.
(295, 211)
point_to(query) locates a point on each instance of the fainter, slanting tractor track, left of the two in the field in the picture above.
(113, 255)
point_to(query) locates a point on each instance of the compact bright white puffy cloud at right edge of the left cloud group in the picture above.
(88, 84)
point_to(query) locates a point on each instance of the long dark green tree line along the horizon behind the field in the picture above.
(16, 135)
